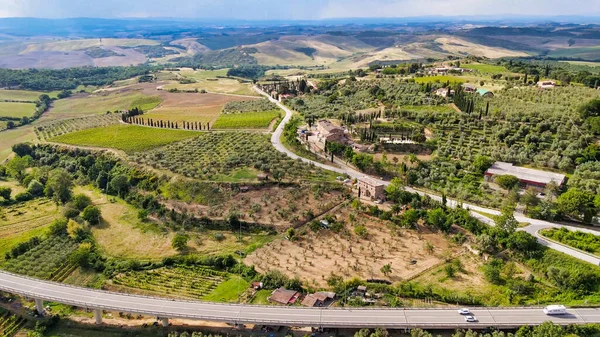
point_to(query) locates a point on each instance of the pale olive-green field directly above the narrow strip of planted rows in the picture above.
(99, 104)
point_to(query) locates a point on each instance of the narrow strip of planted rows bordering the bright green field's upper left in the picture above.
(56, 128)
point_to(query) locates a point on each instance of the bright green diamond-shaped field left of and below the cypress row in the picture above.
(129, 138)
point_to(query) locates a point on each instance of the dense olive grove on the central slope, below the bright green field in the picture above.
(218, 156)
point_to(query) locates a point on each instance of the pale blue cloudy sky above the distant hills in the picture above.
(291, 9)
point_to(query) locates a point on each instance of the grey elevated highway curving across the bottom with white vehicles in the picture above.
(289, 316)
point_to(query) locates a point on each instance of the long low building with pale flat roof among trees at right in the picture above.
(527, 177)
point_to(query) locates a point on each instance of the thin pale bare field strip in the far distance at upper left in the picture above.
(72, 45)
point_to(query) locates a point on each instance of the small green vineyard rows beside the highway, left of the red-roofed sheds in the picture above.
(181, 281)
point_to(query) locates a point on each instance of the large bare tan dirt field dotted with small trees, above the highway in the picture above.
(315, 256)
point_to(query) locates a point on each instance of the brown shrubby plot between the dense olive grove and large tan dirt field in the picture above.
(274, 206)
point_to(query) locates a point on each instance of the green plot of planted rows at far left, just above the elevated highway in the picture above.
(48, 260)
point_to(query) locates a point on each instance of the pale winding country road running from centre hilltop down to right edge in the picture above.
(533, 228)
